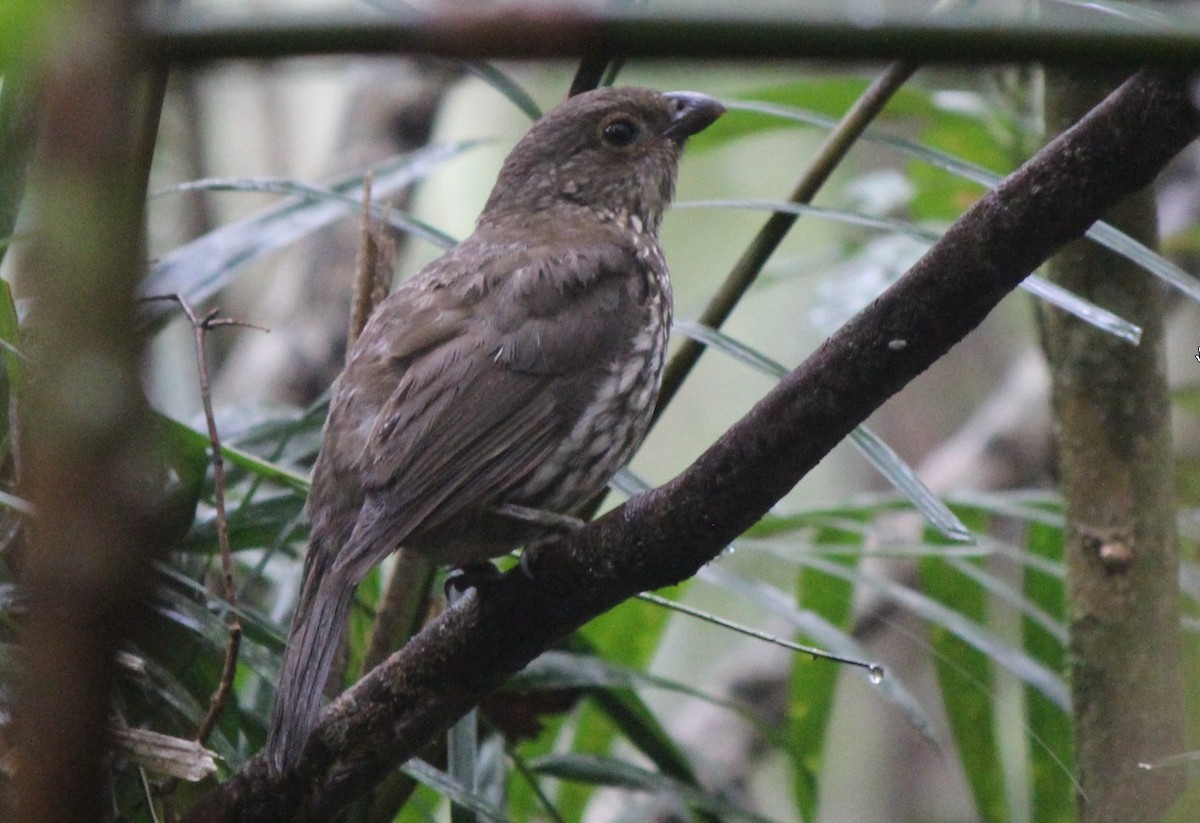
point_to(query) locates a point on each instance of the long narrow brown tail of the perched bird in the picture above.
(316, 634)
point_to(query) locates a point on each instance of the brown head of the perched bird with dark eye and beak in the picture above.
(607, 153)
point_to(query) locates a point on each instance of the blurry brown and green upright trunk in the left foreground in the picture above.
(85, 443)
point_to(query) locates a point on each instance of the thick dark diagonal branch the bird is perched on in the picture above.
(668, 534)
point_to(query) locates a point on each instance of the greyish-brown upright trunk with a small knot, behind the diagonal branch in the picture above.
(1113, 418)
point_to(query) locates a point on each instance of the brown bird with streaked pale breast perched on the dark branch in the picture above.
(493, 395)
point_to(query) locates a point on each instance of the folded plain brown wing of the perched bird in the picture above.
(472, 414)
